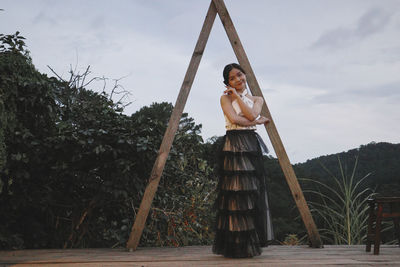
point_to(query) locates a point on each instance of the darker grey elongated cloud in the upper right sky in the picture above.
(372, 22)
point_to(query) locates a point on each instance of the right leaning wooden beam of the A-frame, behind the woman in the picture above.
(270, 127)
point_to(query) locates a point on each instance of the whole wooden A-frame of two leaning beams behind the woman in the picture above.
(218, 6)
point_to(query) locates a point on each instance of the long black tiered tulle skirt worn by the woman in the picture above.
(243, 222)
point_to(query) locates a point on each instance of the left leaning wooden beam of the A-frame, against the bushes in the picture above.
(169, 135)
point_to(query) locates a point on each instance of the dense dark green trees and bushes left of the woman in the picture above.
(74, 167)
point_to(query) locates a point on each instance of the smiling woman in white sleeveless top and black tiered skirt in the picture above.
(243, 223)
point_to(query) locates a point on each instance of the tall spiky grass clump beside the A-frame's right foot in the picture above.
(340, 206)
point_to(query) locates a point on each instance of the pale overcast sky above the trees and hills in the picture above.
(329, 69)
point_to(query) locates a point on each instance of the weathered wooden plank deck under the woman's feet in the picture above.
(202, 256)
